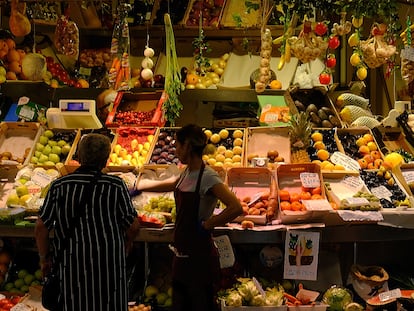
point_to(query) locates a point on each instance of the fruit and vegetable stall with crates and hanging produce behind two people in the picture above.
(307, 111)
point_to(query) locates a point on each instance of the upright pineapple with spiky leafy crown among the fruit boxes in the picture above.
(300, 131)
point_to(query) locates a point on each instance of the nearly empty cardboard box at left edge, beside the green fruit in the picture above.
(18, 138)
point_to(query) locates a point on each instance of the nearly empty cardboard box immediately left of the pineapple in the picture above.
(261, 140)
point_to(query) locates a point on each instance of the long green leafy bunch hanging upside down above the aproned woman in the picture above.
(173, 85)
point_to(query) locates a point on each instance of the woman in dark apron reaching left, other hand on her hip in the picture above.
(196, 268)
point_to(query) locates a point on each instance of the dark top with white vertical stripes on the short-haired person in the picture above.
(94, 260)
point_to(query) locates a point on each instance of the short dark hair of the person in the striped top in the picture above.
(94, 150)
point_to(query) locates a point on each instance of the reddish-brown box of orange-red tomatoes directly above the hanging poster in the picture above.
(294, 178)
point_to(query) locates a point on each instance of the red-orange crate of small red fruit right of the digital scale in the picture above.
(137, 109)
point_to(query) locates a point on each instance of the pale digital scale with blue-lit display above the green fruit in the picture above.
(74, 114)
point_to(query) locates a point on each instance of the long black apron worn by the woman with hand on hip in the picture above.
(196, 259)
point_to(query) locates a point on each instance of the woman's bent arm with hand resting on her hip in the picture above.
(232, 210)
